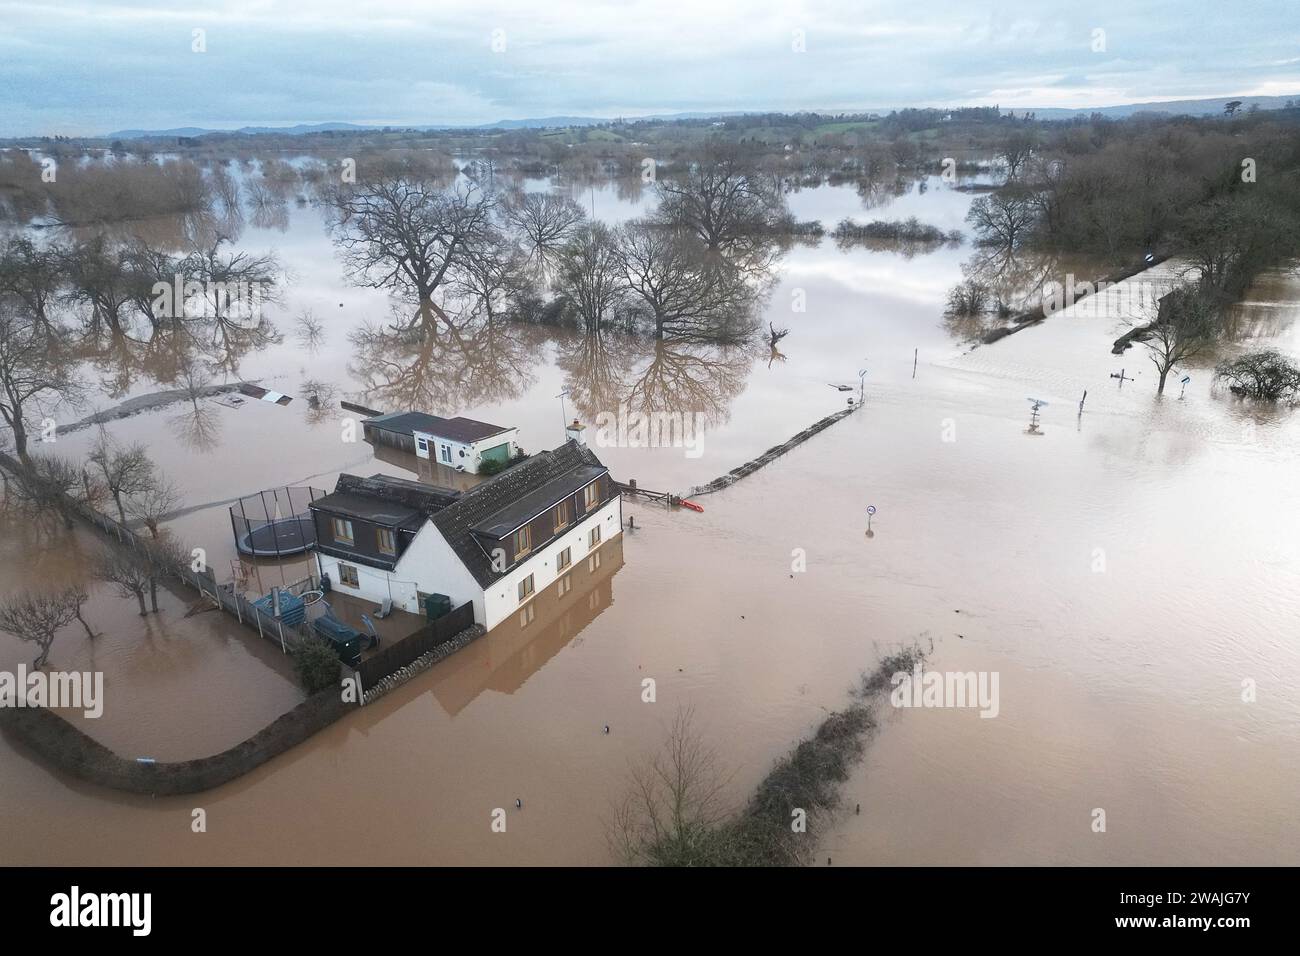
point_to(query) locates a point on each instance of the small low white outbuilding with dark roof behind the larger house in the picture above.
(460, 443)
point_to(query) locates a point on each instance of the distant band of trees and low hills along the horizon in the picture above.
(1223, 191)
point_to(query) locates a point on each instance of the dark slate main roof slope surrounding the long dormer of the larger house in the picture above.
(480, 504)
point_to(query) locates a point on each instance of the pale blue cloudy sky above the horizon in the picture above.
(96, 67)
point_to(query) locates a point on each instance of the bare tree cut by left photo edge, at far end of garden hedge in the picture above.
(33, 370)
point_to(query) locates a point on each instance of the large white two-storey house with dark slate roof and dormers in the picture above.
(499, 544)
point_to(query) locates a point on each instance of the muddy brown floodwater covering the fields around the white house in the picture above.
(1120, 680)
